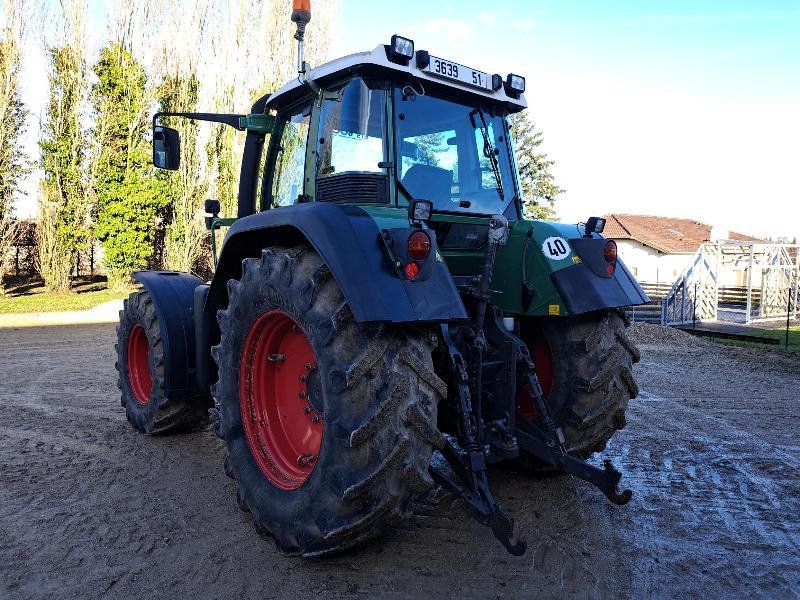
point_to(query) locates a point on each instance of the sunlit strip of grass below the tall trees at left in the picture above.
(32, 297)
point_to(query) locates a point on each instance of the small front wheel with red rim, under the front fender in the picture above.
(140, 368)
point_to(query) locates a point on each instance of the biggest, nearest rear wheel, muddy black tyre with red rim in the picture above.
(329, 424)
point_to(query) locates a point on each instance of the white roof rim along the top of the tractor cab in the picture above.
(377, 62)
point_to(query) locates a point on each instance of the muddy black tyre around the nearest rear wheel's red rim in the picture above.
(379, 462)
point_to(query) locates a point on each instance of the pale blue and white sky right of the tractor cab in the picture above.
(688, 109)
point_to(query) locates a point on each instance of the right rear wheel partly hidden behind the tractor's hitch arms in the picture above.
(584, 364)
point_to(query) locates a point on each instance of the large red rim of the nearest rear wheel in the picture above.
(280, 399)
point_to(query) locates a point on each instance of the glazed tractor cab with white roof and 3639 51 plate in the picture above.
(392, 126)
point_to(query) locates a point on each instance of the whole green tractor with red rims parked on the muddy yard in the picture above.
(382, 319)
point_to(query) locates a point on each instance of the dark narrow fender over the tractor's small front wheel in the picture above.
(172, 293)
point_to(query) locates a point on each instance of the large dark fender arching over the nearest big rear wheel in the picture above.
(348, 239)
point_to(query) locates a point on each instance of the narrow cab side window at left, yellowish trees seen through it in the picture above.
(287, 183)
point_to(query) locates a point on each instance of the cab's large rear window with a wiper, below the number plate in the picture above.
(452, 154)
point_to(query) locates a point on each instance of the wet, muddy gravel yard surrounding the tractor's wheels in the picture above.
(89, 508)
